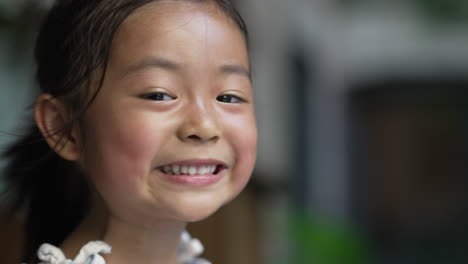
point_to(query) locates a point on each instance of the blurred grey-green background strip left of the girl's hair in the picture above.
(17, 32)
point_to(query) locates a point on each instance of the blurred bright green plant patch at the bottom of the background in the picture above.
(326, 242)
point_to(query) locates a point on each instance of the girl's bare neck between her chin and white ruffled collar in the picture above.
(130, 244)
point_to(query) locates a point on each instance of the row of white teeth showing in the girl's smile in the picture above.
(182, 169)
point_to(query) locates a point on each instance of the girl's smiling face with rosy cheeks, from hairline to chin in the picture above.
(171, 134)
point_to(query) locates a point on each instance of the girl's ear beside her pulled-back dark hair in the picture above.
(52, 120)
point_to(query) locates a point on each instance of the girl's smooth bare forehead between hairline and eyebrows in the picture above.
(182, 29)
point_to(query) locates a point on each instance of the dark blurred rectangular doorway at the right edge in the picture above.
(408, 154)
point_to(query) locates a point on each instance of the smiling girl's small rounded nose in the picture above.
(199, 125)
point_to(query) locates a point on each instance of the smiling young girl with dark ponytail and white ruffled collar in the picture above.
(147, 123)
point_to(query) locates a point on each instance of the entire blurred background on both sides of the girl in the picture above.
(362, 109)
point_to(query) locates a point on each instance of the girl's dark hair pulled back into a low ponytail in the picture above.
(74, 41)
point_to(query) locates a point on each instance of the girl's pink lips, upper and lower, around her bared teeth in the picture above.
(195, 180)
